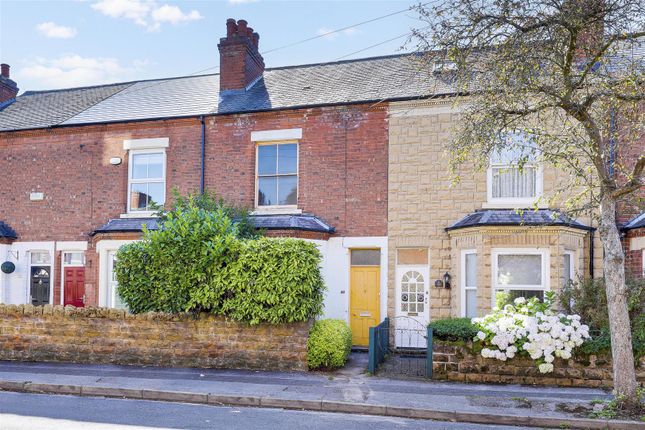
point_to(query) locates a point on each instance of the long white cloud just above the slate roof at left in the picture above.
(72, 70)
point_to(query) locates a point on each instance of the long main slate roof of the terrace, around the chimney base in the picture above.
(395, 77)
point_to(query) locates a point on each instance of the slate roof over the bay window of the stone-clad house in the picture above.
(509, 217)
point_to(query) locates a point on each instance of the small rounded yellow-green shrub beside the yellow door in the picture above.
(329, 344)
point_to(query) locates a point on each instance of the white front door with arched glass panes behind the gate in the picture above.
(412, 306)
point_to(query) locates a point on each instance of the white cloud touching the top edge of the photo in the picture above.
(146, 13)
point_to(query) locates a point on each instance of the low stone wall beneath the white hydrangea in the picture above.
(456, 362)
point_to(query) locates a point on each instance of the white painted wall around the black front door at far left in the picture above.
(16, 285)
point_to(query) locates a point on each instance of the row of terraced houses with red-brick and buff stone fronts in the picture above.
(347, 154)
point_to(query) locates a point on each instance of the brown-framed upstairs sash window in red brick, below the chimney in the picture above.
(277, 174)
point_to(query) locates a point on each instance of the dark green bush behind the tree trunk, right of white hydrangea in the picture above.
(587, 298)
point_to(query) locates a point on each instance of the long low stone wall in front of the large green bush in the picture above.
(100, 335)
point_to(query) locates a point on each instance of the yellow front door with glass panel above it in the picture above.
(364, 287)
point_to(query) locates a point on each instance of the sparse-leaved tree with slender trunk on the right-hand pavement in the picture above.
(567, 75)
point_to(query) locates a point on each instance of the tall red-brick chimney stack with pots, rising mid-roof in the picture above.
(240, 61)
